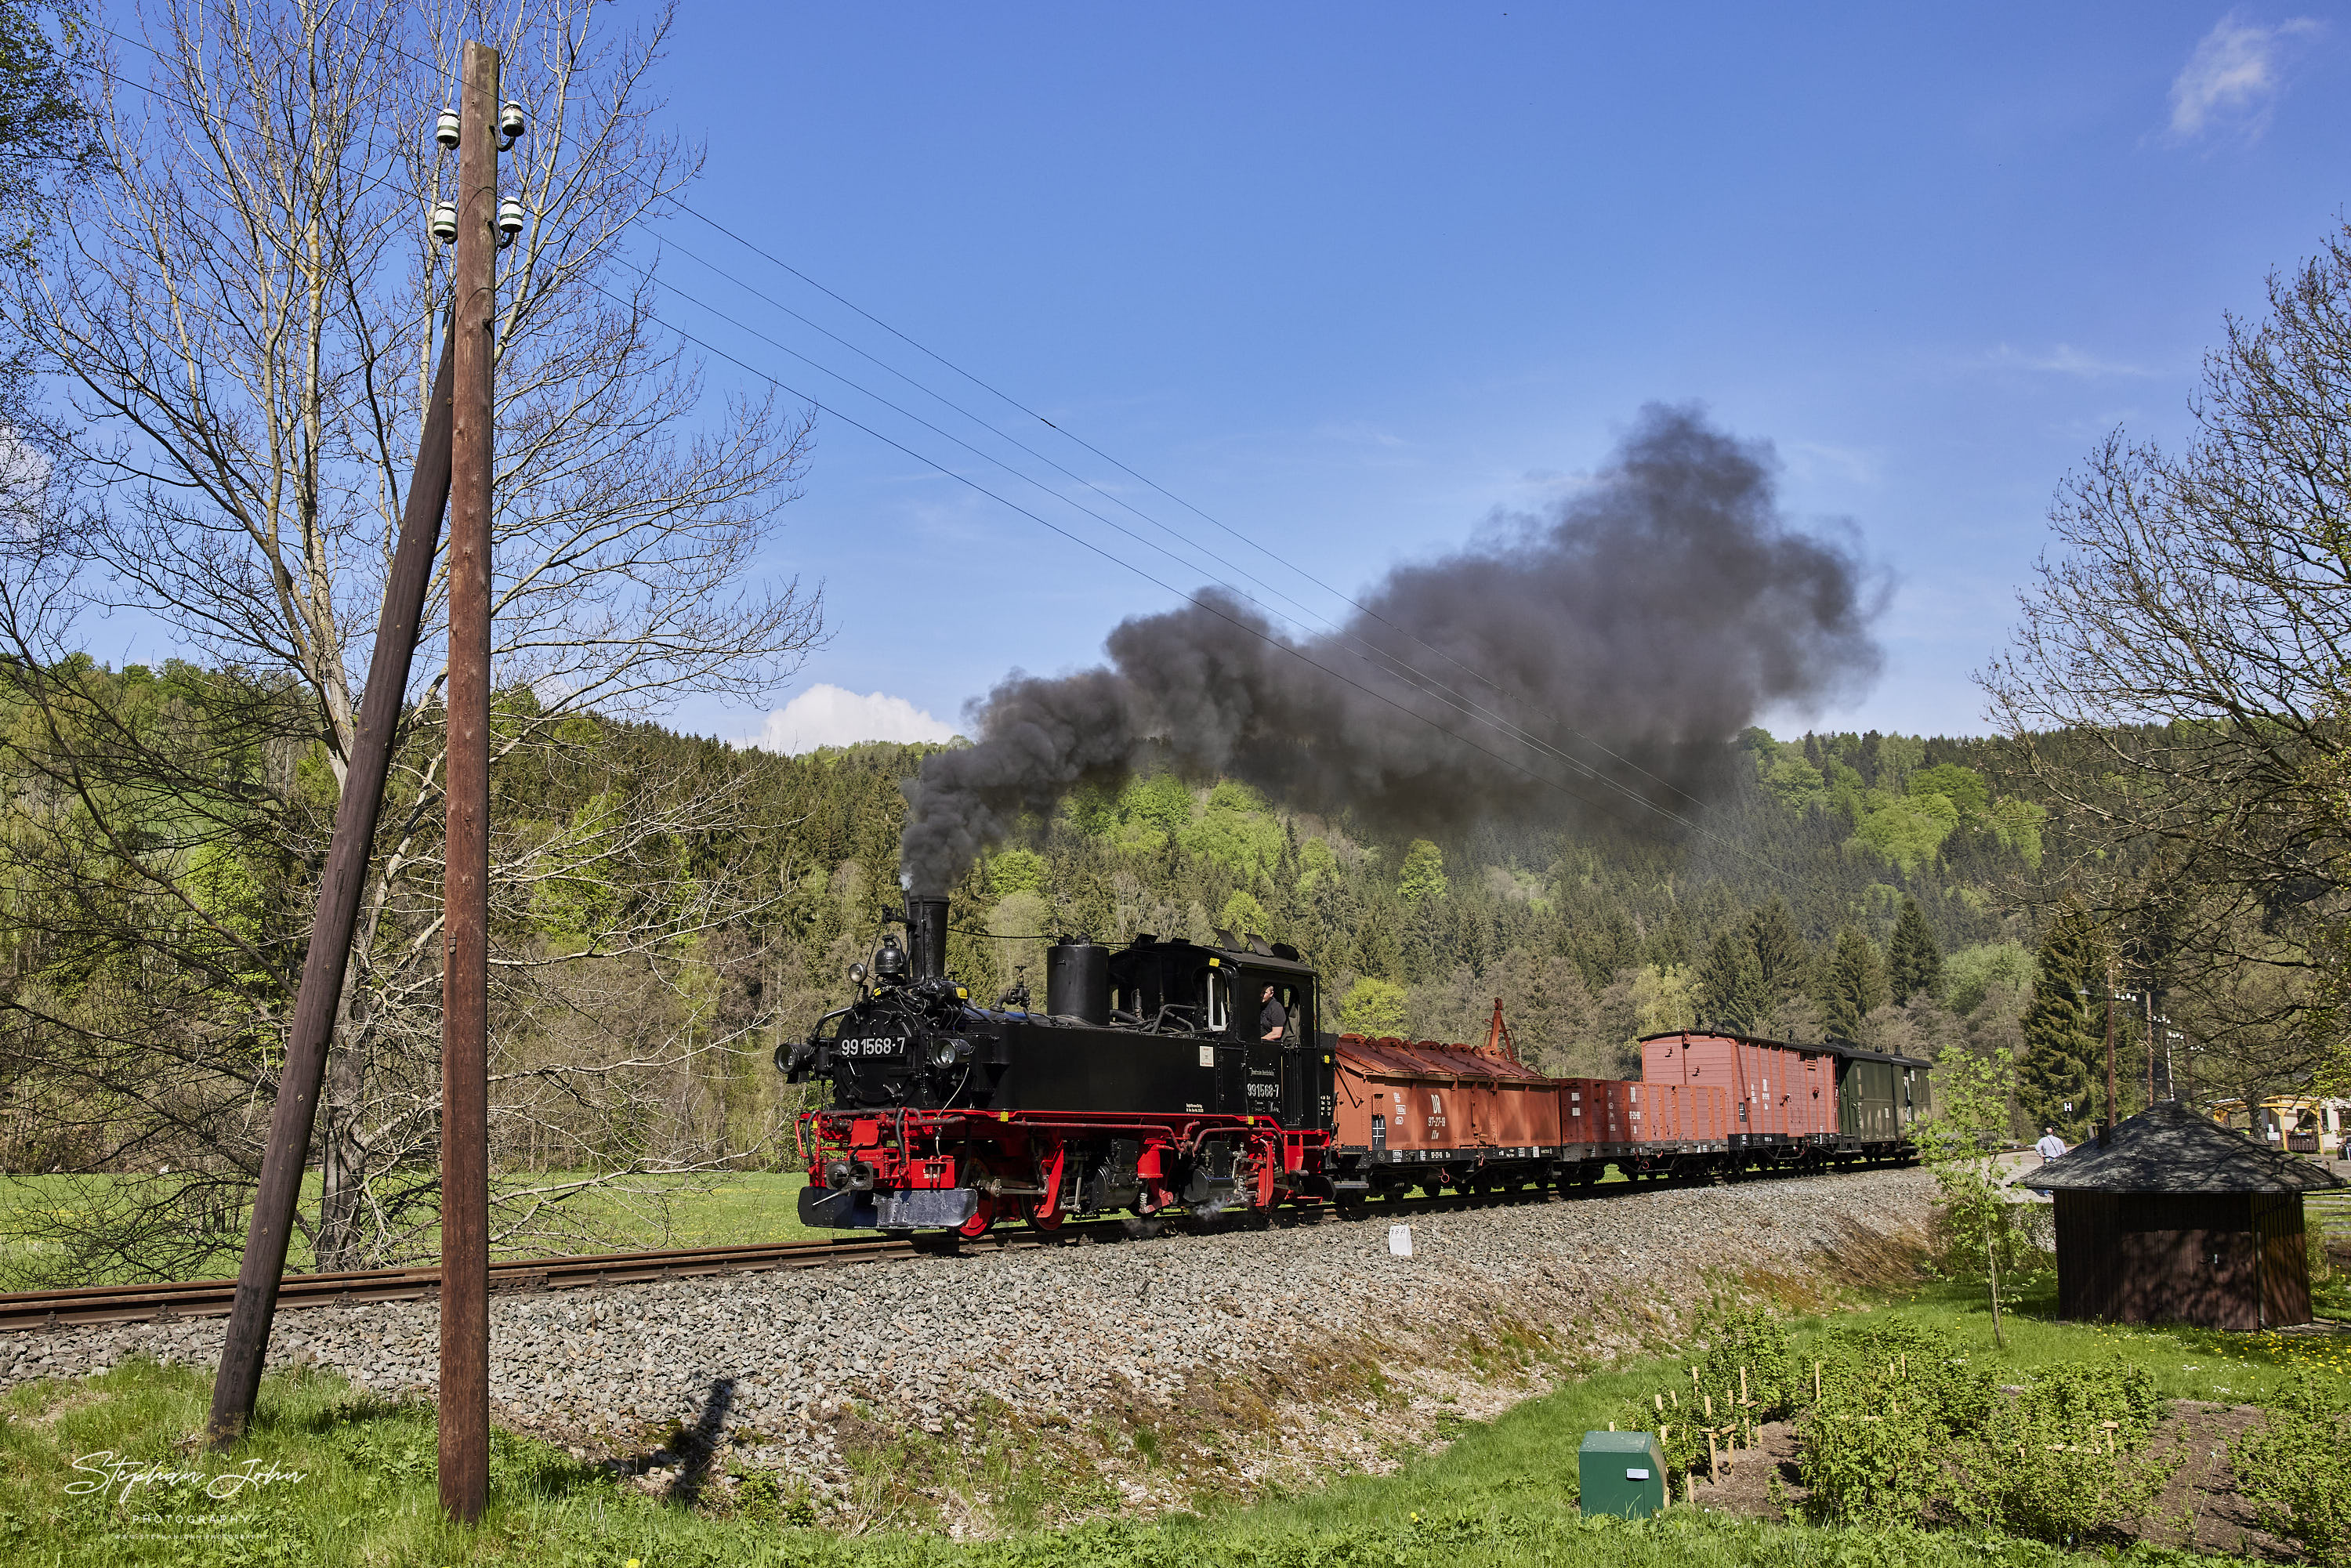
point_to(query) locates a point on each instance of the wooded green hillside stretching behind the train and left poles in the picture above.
(669, 909)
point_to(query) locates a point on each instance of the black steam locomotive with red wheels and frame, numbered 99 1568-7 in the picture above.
(1158, 1078)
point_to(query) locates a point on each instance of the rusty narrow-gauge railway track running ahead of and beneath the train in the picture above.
(159, 1304)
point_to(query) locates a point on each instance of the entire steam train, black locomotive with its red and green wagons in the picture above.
(1193, 1080)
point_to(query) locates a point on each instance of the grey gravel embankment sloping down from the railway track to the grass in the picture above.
(1151, 1372)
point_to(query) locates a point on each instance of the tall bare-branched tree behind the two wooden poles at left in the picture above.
(241, 319)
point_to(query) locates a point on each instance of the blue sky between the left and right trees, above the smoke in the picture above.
(1351, 279)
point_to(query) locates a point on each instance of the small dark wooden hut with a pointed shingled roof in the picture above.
(2176, 1219)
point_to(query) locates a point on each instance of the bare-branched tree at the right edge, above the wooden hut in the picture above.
(2178, 685)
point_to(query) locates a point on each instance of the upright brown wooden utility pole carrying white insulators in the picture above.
(464, 1299)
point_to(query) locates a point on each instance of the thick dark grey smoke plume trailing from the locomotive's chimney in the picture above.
(1654, 615)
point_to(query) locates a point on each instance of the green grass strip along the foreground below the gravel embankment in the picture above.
(105, 1473)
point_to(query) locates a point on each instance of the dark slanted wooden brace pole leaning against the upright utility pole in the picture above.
(328, 958)
